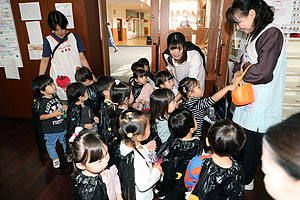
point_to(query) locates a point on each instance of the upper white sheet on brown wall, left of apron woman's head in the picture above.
(30, 11)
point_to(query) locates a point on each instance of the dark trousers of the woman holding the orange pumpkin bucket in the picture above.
(250, 155)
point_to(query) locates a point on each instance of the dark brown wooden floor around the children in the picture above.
(23, 177)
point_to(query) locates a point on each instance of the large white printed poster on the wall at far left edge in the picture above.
(9, 45)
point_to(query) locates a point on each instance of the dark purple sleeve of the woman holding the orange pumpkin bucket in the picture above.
(268, 47)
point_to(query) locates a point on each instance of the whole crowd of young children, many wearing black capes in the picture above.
(140, 139)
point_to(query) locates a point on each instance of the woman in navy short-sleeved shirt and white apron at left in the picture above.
(67, 56)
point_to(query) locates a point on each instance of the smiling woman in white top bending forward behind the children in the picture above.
(184, 59)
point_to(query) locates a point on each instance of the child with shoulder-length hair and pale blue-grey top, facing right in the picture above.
(162, 103)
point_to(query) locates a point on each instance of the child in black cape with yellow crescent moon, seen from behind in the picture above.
(180, 148)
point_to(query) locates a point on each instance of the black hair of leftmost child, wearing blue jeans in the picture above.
(40, 83)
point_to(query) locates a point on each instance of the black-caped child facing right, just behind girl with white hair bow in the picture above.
(80, 114)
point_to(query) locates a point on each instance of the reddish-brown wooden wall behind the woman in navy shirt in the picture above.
(16, 95)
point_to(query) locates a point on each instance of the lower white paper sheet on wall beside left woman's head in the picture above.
(34, 32)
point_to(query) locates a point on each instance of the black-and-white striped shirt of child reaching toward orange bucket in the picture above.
(197, 106)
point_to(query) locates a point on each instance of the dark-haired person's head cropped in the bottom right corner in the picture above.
(281, 159)
